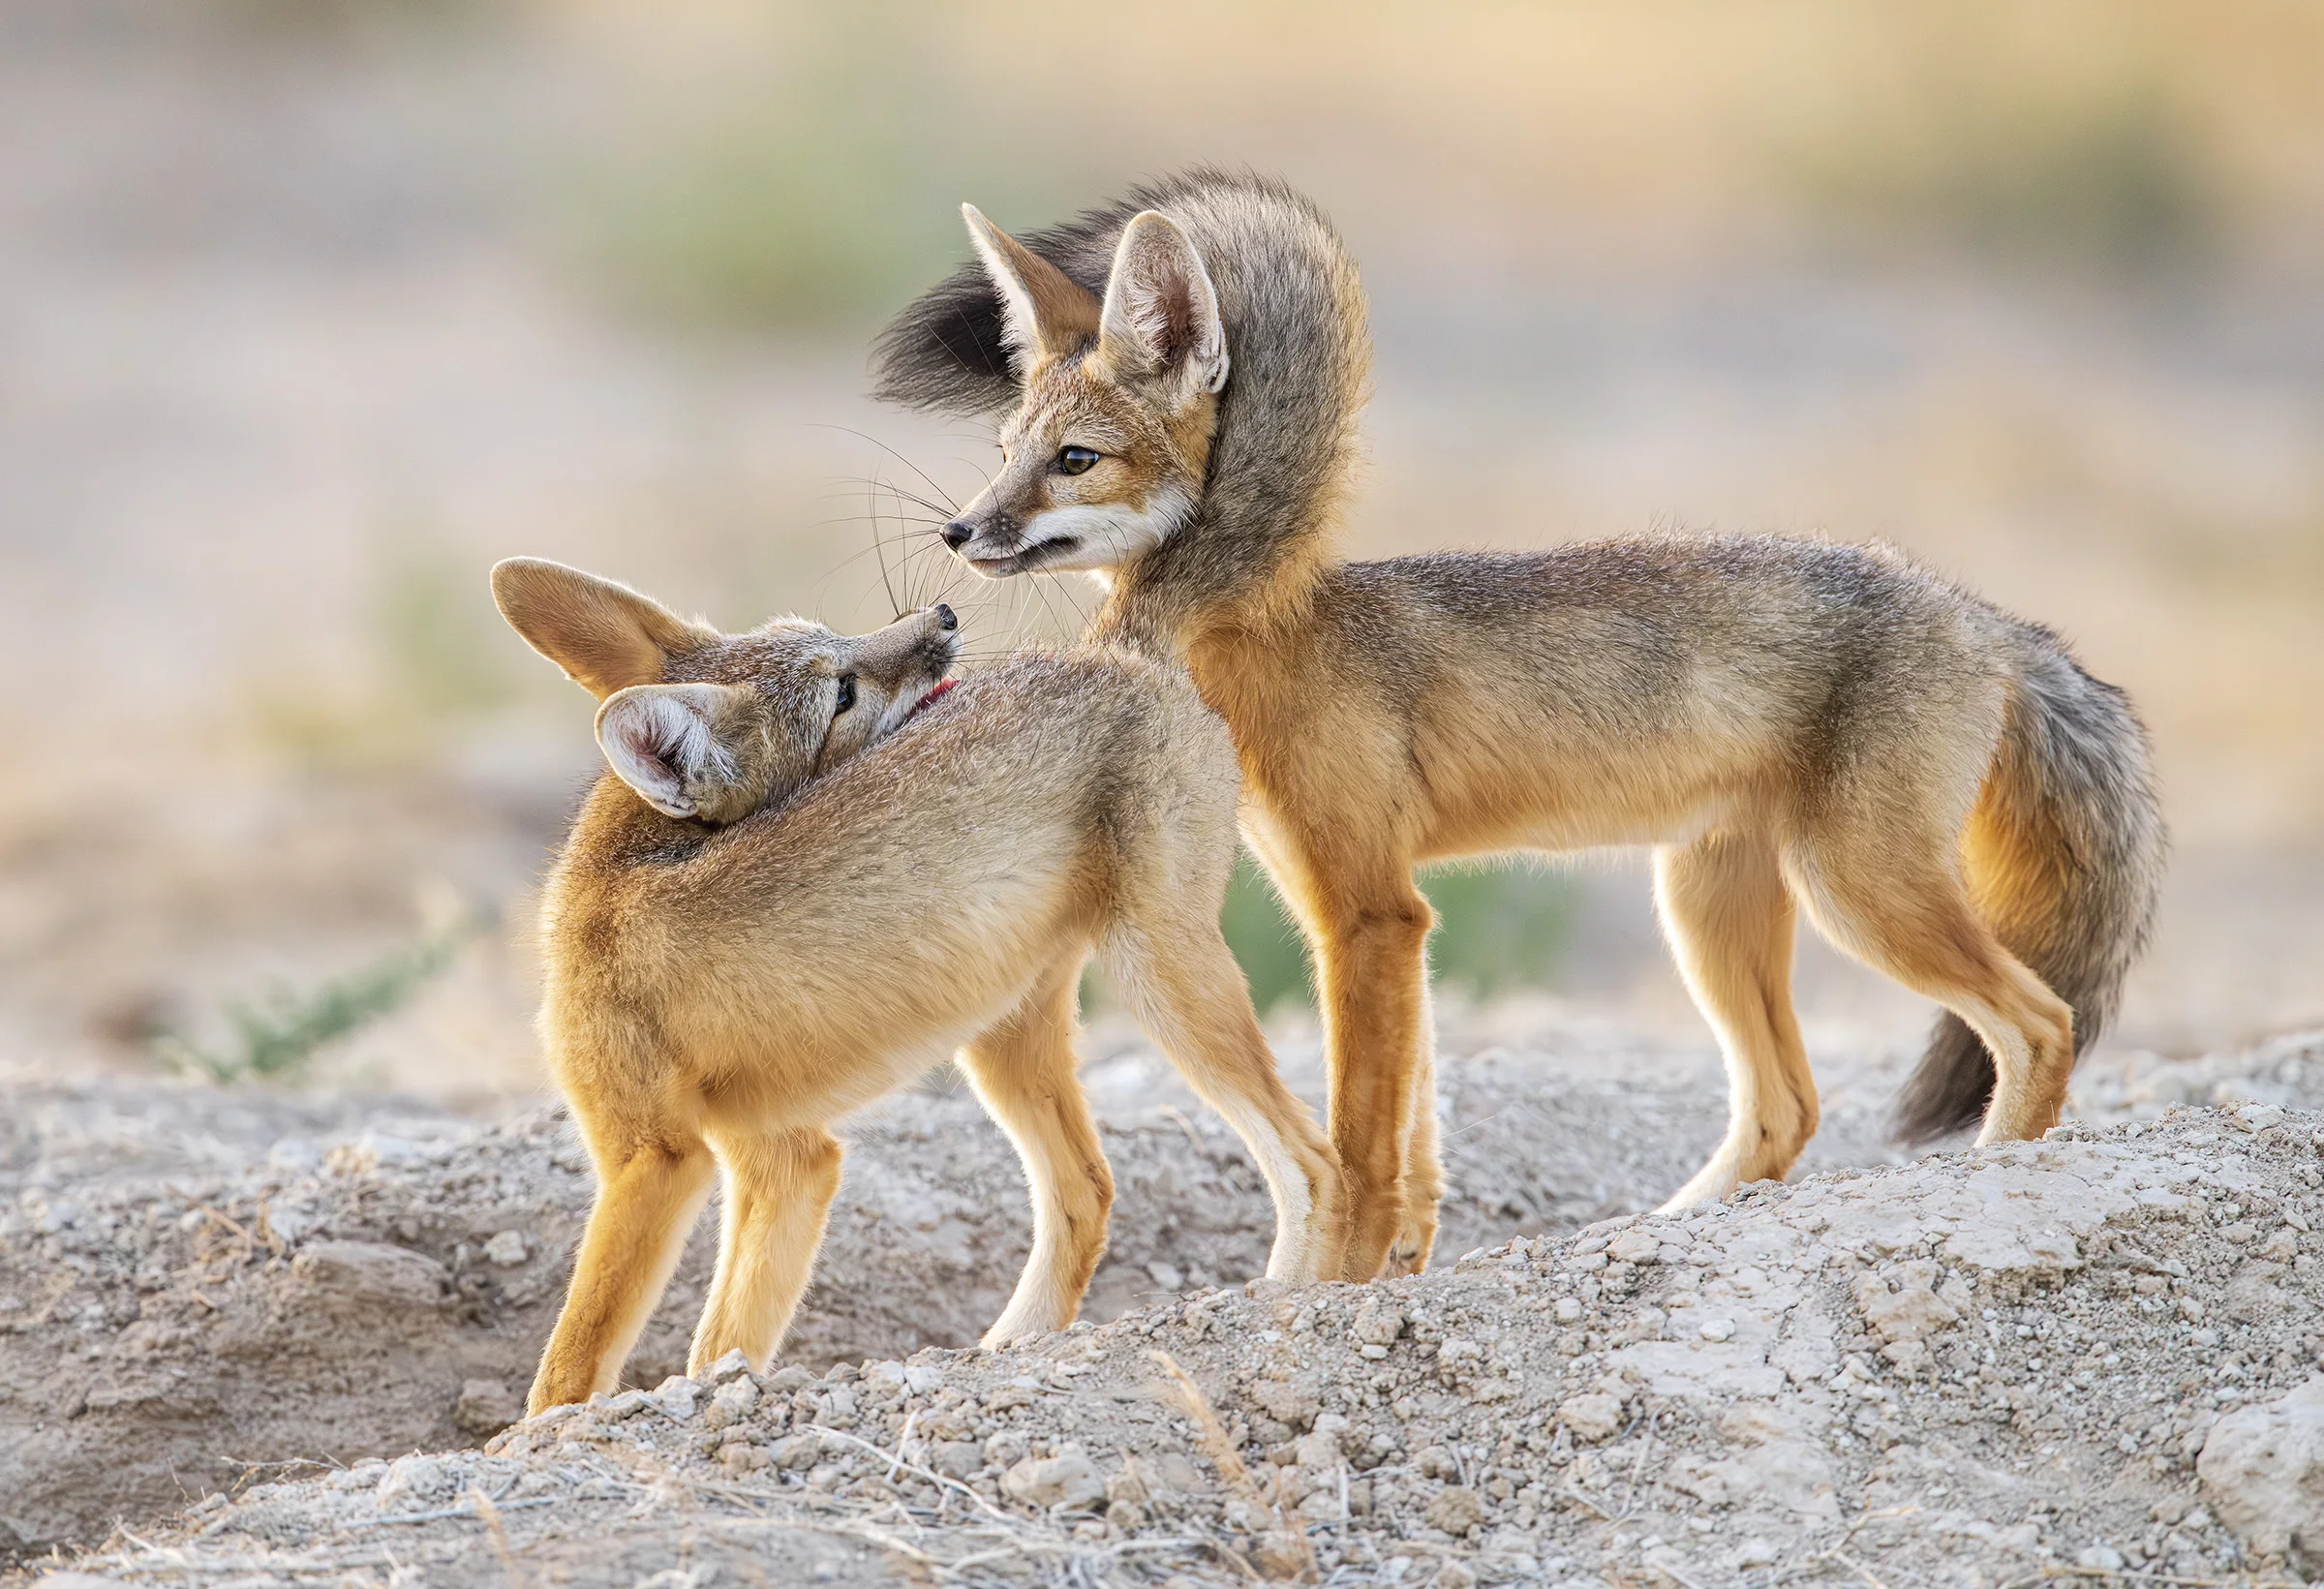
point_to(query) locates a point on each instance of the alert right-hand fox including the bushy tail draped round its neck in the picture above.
(1791, 726)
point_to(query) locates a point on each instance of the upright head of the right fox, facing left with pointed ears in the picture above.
(1105, 454)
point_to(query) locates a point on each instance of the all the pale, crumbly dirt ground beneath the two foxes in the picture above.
(2028, 1346)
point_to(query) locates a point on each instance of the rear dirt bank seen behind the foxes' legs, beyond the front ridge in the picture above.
(196, 1281)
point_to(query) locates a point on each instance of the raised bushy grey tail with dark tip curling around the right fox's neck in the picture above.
(1300, 366)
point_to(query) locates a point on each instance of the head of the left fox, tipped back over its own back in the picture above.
(715, 726)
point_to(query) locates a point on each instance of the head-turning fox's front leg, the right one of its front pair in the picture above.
(780, 1191)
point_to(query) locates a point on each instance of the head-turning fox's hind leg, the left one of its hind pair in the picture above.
(1024, 1074)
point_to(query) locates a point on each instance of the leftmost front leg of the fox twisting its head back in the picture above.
(652, 1181)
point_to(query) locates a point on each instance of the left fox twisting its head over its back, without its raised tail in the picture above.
(819, 865)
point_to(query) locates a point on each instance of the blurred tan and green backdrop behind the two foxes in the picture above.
(310, 310)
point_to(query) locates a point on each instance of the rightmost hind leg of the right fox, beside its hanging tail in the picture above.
(1902, 909)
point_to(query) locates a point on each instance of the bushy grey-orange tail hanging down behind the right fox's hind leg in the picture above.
(2065, 858)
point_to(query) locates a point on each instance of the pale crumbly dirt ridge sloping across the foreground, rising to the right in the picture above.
(1977, 1369)
